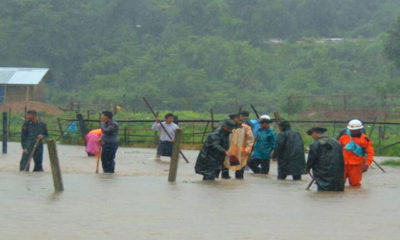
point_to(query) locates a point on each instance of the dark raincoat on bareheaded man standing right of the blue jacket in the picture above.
(290, 152)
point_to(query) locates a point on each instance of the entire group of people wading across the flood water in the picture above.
(238, 143)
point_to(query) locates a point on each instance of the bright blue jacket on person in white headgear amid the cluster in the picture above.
(265, 143)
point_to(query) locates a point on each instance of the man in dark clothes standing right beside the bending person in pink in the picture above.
(109, 141)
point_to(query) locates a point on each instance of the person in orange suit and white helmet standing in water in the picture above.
(358, 152)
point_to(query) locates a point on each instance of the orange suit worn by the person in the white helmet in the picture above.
(353, 163)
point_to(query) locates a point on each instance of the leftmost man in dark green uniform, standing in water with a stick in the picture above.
(32, 130)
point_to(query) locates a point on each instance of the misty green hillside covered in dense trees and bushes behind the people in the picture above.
(201, 54)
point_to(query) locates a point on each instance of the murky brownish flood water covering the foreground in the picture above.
(139, 203)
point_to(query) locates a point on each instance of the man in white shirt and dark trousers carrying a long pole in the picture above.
(166, 141)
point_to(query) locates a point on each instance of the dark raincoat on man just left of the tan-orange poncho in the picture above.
(212, 154)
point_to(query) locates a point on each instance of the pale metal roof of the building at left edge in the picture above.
(22, 76)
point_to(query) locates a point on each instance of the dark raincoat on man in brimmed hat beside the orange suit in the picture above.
(326, 161)
